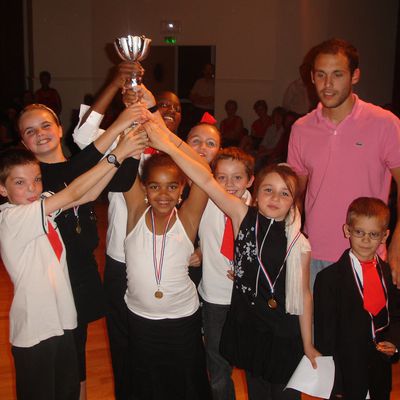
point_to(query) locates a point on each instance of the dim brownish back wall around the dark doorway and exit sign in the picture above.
(259, 43)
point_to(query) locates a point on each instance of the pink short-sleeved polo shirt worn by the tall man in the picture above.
(342, 162)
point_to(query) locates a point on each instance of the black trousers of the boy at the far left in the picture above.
(48, 370)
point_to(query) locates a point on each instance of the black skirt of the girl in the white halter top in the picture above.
(169, 359)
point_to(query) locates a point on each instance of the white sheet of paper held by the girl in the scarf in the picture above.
(314, 382)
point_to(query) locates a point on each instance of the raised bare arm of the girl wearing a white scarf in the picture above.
(188, 161)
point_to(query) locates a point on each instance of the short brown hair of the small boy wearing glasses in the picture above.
(369, 207)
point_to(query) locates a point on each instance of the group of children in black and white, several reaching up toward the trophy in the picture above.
(257, 305)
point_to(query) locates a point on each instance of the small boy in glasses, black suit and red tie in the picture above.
(354, 300)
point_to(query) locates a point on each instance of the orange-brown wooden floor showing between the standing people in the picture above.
(99, 376)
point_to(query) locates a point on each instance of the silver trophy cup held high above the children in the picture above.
(133, 49)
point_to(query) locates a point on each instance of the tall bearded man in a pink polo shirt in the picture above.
(344, 149)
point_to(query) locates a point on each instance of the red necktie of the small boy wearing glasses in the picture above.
(374, 297)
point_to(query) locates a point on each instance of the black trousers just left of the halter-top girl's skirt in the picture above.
(115, 285)
